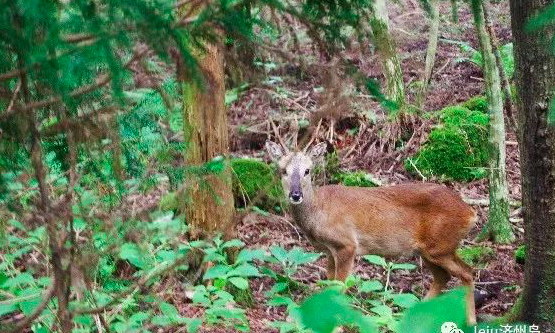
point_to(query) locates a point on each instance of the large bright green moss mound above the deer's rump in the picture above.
(457, 149)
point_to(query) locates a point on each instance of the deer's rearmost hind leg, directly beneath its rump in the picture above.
(458, 268)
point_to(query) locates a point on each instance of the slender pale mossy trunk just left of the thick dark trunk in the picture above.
(498, 227)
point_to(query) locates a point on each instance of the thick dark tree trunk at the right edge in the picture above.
(535, 82)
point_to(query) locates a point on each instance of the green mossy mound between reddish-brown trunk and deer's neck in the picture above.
(255, 181)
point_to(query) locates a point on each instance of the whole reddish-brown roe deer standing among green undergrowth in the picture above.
(416, 218)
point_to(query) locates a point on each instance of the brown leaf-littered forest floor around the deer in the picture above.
(453, 82)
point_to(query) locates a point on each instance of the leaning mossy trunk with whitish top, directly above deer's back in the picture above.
(385, 45)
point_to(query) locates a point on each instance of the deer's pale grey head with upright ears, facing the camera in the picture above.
(296, 169)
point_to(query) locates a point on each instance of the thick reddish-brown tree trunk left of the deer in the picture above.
(208, 202)
